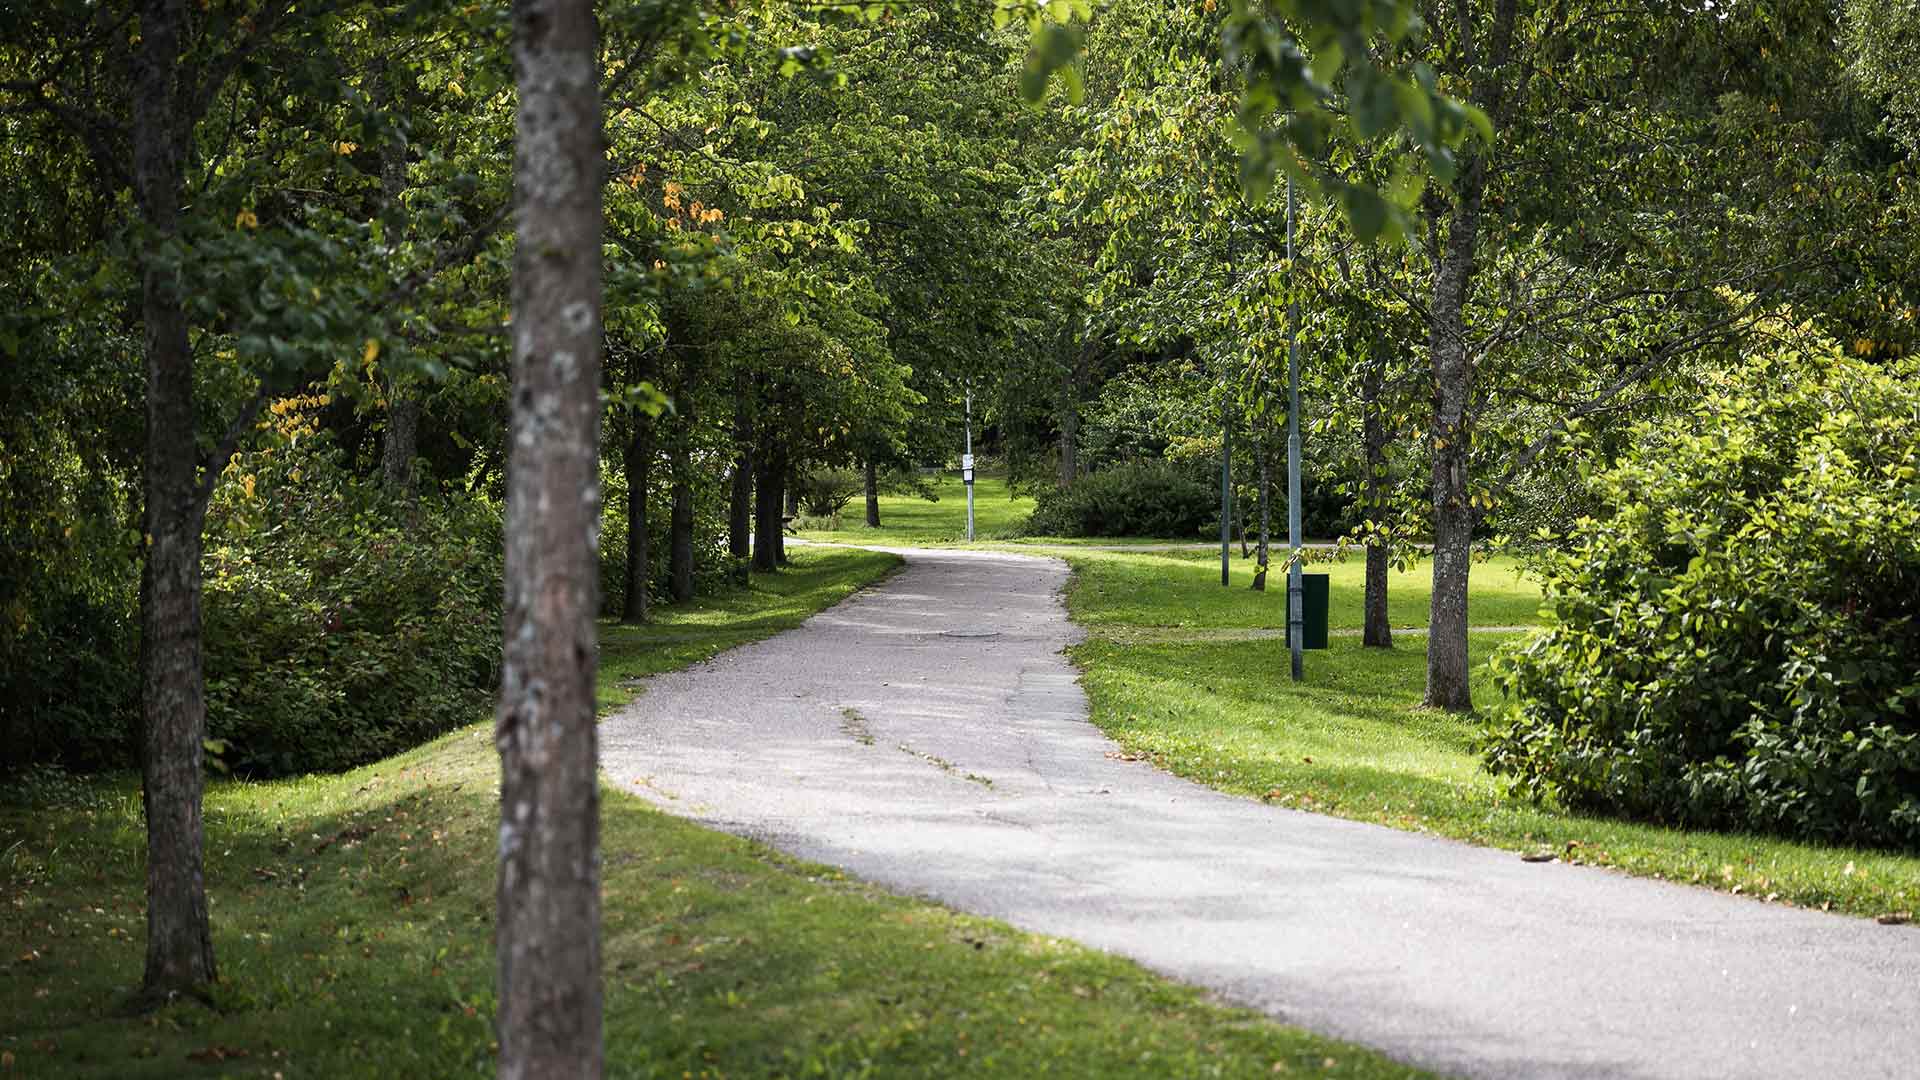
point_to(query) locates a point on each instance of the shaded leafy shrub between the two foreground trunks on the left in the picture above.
(339, 626)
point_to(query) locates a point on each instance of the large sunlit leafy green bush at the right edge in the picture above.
(1739, 643)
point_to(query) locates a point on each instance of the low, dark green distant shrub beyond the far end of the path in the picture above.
(1147, 499)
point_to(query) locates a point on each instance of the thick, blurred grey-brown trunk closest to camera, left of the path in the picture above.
(548, 925)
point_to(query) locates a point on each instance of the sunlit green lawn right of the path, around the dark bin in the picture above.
(1351, 739)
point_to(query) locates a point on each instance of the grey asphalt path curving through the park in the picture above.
(894, 737)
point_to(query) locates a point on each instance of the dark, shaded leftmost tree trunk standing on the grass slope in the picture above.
(180, 945)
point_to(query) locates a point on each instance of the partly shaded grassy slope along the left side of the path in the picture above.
(352, 925)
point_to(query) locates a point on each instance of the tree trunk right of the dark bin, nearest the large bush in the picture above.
(1447, 626)
